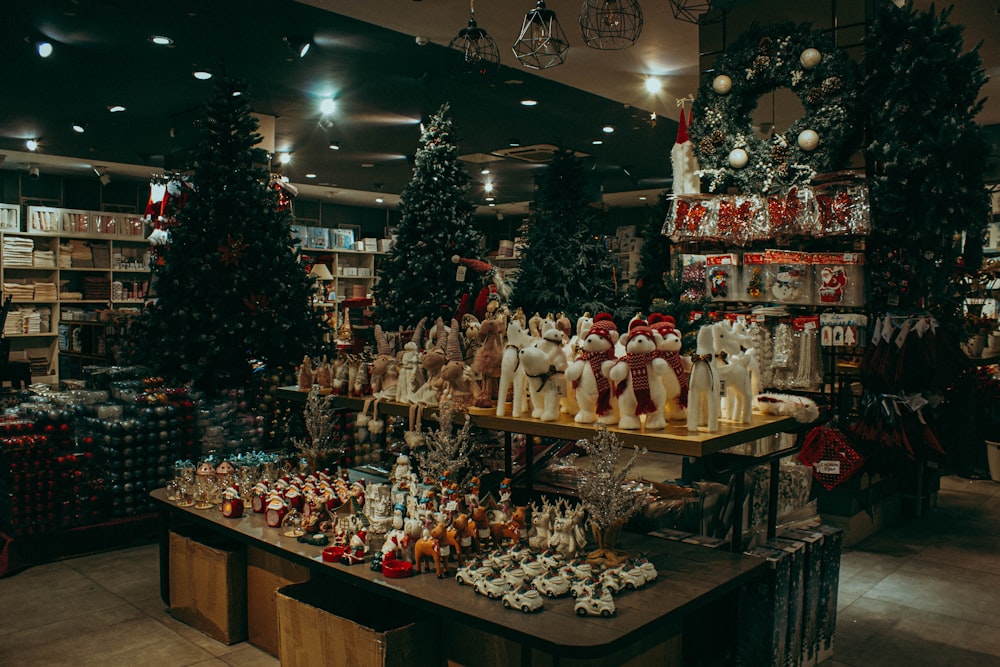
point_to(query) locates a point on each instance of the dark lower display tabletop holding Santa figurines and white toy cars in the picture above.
(690, 578)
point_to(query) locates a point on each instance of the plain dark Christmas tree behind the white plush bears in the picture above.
(565, 266)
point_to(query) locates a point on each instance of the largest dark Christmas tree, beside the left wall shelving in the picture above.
(230, 290)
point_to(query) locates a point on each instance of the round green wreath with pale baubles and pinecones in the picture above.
(761, 61)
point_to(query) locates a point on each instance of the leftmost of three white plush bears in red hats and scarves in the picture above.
(588, 374)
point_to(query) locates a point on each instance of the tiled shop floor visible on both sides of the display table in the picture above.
(925, 592)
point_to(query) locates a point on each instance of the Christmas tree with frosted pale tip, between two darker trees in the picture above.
(418, 278)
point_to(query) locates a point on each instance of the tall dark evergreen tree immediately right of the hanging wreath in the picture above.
(929, 159)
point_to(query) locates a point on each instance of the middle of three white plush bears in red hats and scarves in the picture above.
(637, 376)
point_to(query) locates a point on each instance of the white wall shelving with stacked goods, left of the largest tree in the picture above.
(49, 261)
